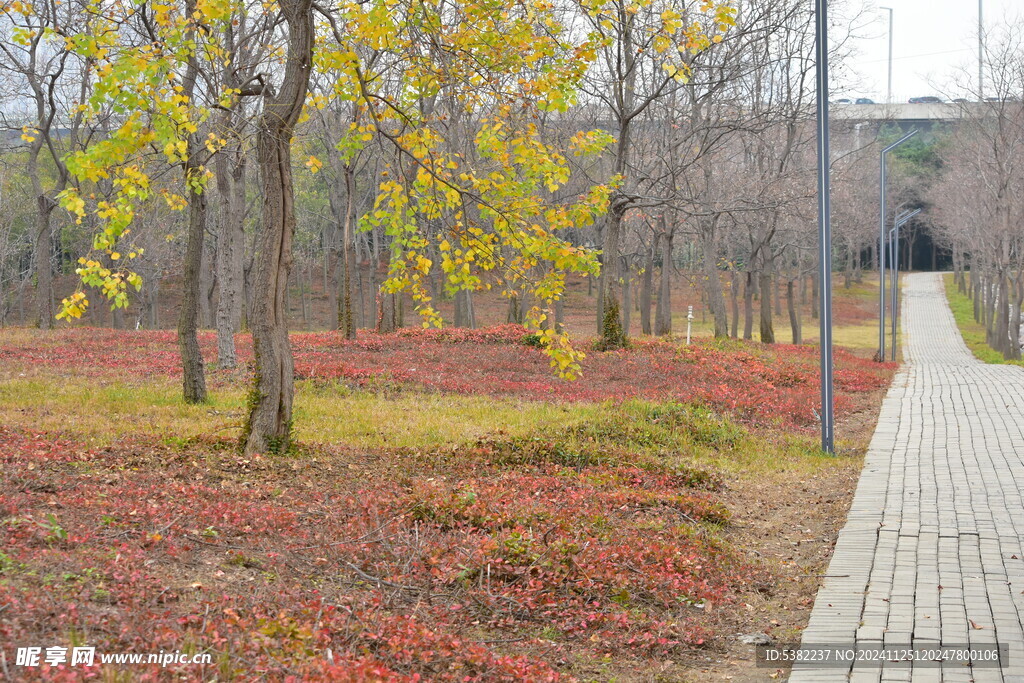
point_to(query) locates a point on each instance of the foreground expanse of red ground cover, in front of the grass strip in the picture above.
(400, 566)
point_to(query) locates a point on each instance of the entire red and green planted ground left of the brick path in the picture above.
(509, 527)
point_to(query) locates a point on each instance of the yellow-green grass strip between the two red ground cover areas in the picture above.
(680, 437)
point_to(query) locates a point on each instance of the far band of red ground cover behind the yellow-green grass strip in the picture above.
(758, 385)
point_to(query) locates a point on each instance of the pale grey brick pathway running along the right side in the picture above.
(932, 549)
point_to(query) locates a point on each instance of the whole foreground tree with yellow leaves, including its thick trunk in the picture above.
(493, 212)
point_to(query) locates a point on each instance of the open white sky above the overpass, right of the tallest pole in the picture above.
(935, 46)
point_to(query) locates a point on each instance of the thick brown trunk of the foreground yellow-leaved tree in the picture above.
(270, 424)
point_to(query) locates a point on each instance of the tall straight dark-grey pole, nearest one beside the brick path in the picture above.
(825, 227)
